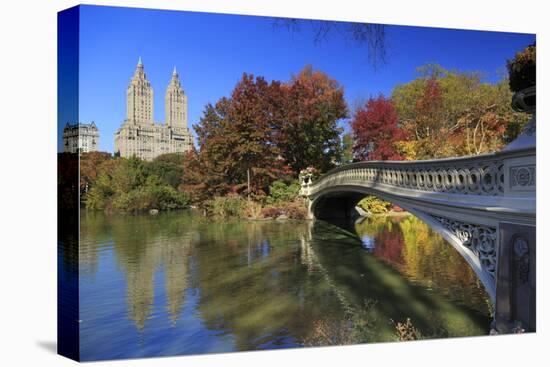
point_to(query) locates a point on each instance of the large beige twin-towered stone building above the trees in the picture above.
(139, 135)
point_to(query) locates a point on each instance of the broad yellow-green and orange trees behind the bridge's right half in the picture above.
(450, 113)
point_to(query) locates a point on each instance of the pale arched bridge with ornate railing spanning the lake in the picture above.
(484, 206)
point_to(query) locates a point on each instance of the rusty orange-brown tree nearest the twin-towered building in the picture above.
(236, 141)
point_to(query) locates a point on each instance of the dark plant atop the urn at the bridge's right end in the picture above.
(522, 69)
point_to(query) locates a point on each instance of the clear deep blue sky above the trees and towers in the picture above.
(211, 51)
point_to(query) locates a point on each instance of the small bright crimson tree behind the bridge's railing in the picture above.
(376, 131)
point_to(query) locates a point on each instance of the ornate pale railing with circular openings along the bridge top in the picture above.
(497, 179)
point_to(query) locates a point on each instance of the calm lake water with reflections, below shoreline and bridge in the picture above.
(177, 283)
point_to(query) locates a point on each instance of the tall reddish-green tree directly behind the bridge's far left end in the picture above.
(307, 134)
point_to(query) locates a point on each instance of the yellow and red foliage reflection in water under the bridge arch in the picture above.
(424, 257)
